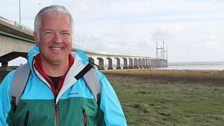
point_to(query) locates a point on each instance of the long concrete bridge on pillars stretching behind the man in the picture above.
(16, 40)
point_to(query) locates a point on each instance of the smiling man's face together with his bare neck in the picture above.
(54, 39)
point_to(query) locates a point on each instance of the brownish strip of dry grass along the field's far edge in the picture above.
(187, 76)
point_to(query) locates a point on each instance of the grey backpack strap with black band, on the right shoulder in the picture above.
(92, 81)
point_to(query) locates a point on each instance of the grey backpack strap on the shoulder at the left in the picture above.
(18, 84)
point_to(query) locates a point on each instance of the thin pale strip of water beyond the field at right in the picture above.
(196, 67)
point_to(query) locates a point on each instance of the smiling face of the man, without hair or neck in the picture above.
(55, 38)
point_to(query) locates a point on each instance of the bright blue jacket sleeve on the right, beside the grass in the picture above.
(110, 105)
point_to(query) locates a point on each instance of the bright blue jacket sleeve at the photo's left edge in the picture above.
(5, 105)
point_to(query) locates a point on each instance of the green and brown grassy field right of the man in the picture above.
(170, 98)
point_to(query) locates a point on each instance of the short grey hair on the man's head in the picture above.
(50, 9)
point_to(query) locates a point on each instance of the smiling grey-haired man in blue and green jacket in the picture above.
(52, 96)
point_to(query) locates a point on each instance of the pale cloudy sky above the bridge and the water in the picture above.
(192, 30)
